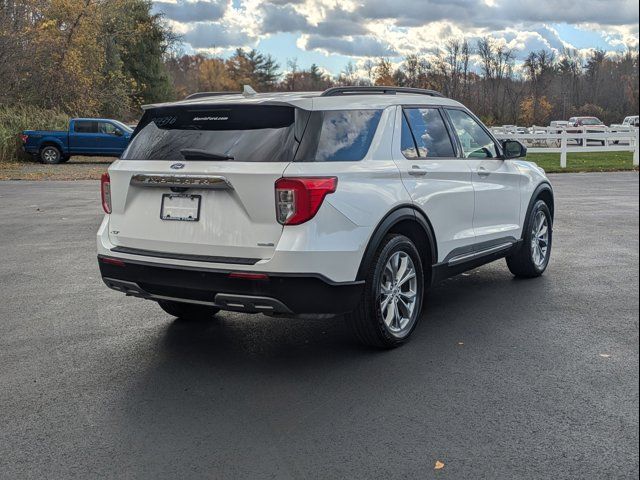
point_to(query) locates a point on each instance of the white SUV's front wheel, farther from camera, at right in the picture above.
(532, 257)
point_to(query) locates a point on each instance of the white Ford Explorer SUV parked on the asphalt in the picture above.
(349, 201)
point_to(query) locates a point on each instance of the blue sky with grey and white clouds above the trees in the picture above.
(332, 33)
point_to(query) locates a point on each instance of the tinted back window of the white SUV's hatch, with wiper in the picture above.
(233, 133)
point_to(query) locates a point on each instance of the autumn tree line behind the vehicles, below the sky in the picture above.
(108, 57)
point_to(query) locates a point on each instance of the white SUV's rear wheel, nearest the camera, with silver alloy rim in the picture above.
(391, 325)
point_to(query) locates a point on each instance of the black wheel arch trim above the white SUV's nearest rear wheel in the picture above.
(410, 222)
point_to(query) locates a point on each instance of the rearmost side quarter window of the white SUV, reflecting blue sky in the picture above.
(338, 135)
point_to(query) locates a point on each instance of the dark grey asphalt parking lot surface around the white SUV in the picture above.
(503, 378)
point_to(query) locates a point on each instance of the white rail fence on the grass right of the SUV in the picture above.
(557, 140)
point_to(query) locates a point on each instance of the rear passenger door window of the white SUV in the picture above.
(429, 134)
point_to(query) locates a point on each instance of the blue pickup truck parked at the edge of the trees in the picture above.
(99, 137)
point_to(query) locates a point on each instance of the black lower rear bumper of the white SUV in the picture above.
(277, 293)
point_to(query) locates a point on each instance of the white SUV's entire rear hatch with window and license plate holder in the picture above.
(197, 182)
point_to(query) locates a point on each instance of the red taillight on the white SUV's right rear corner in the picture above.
(299, 199)
